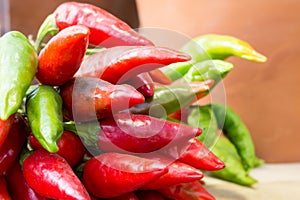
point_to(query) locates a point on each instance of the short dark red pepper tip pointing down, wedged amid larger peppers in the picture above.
(143, 83)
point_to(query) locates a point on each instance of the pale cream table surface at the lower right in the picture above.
(275, 182)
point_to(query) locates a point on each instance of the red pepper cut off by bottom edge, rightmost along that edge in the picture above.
(192, 191)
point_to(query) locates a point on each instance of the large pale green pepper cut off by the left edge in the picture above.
(18, 65)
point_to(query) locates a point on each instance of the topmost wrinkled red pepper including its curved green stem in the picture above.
(106, 29)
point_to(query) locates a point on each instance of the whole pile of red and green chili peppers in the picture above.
(102, 120)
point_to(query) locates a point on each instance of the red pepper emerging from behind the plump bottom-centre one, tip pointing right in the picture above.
(178, 172)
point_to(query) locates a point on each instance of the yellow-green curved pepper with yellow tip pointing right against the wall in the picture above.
(212, 47)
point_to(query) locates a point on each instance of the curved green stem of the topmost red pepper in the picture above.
(48, 27)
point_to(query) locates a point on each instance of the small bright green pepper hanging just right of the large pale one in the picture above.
(44, 110)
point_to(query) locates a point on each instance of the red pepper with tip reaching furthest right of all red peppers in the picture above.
(196, 154)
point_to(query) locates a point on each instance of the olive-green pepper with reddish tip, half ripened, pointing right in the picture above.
(168, 99)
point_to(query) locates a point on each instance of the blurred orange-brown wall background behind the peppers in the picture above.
(265, 95)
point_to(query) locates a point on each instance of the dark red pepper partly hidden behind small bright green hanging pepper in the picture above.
(70, 147)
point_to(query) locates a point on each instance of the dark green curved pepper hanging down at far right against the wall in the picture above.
(238, 133)
